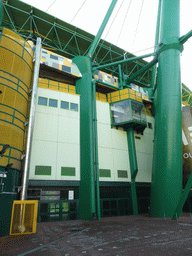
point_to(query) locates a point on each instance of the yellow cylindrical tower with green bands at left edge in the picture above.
(16, 67)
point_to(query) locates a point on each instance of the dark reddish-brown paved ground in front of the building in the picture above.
(124, 235)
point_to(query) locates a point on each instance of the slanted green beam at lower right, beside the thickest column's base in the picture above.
(183, 198)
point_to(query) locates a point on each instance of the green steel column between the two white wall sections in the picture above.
(87, 202)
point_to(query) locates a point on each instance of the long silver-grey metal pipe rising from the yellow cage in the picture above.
(31, 117)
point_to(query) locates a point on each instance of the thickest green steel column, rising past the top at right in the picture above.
(166, 184)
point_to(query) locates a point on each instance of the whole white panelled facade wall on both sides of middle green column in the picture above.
(56, 142)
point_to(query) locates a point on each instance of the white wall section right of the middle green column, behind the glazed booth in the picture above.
(113, 148)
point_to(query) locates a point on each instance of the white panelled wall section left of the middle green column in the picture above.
(56, 137)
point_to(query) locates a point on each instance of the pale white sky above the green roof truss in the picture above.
(131, 27)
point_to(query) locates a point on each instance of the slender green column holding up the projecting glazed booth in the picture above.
(133, 167)
